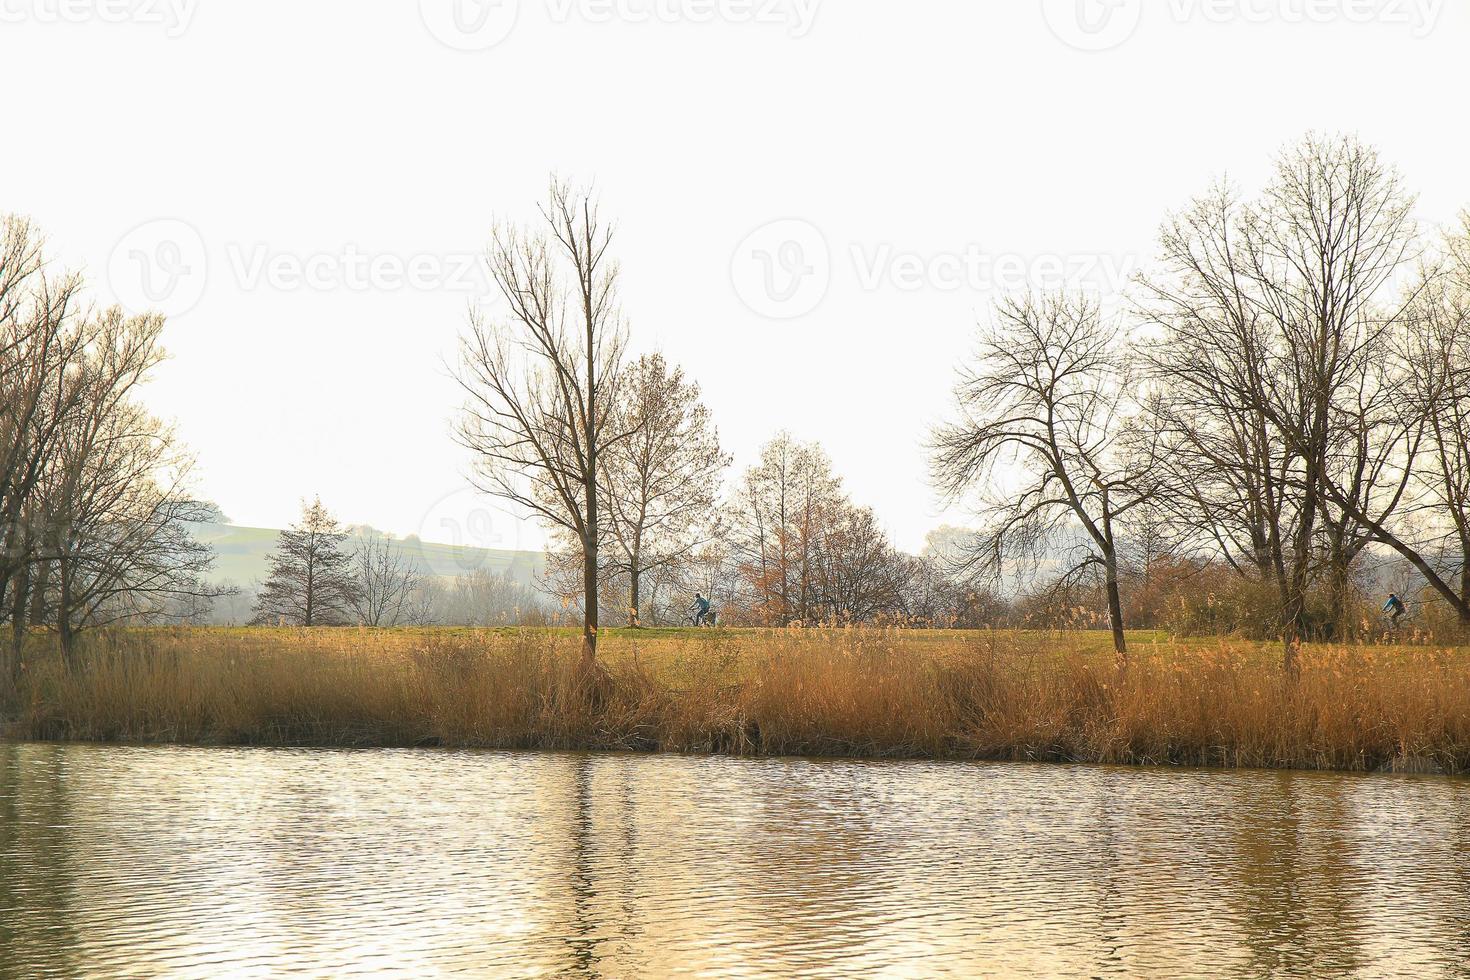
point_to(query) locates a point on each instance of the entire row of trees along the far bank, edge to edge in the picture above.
(1278, 409)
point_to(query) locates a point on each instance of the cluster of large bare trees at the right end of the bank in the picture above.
(1283, 399)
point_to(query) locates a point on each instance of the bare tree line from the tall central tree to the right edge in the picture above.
(1280, 406)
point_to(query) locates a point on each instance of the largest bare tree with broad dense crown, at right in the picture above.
(1277, 396)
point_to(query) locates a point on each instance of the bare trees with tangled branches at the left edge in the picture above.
(92, 487)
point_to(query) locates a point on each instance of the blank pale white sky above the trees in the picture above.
(304, 187)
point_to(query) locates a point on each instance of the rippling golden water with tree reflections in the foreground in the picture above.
(146, 862)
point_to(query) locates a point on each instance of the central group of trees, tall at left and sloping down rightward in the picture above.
(623, 461)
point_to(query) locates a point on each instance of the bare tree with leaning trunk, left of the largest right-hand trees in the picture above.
(1049, 393)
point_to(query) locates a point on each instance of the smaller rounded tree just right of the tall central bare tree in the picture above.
(664, 480)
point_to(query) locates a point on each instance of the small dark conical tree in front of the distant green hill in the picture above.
(311, 581)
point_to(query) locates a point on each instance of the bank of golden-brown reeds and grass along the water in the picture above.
(821, 693)
